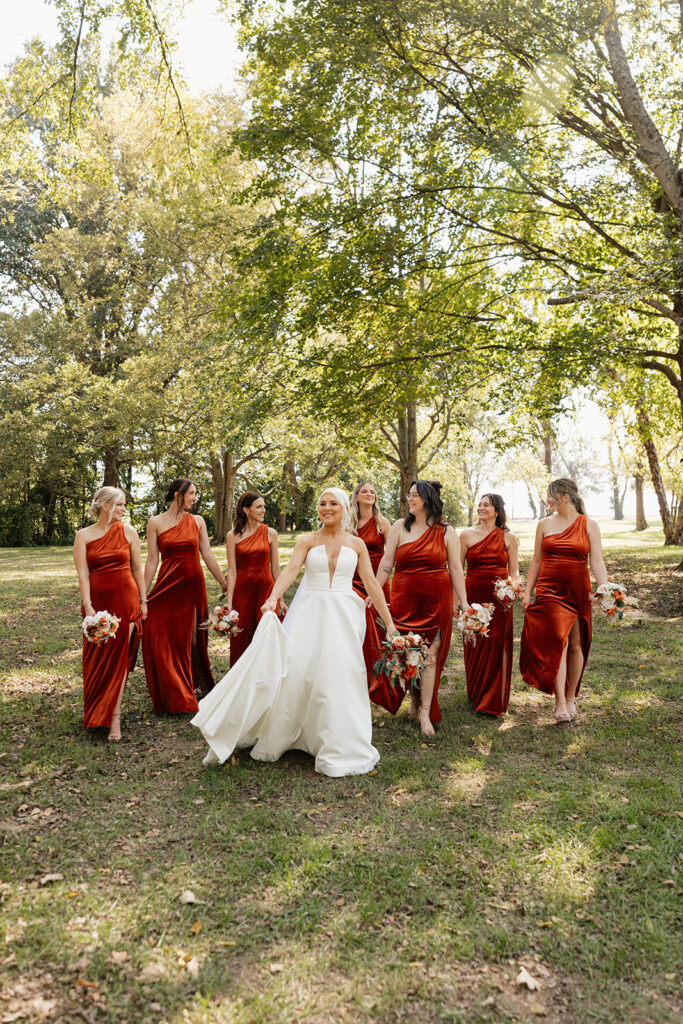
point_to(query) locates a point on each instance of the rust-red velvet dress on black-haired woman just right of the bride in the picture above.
(421, 603)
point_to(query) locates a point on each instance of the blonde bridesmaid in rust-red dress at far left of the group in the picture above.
(110, 578)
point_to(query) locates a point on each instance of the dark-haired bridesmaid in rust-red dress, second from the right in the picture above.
(491, 552)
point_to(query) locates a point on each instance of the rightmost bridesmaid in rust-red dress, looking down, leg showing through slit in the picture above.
(557, 637)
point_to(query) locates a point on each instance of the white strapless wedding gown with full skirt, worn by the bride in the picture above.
(302, 686)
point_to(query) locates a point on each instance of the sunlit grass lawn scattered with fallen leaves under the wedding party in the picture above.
(419, 893)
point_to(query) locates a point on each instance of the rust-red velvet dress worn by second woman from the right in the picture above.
(489, 663)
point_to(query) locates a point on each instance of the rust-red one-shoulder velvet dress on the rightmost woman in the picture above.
(563, 596)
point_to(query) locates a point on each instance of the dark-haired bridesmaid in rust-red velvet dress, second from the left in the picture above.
(177, 653)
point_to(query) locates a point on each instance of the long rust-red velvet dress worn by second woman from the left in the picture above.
(177, 605)
